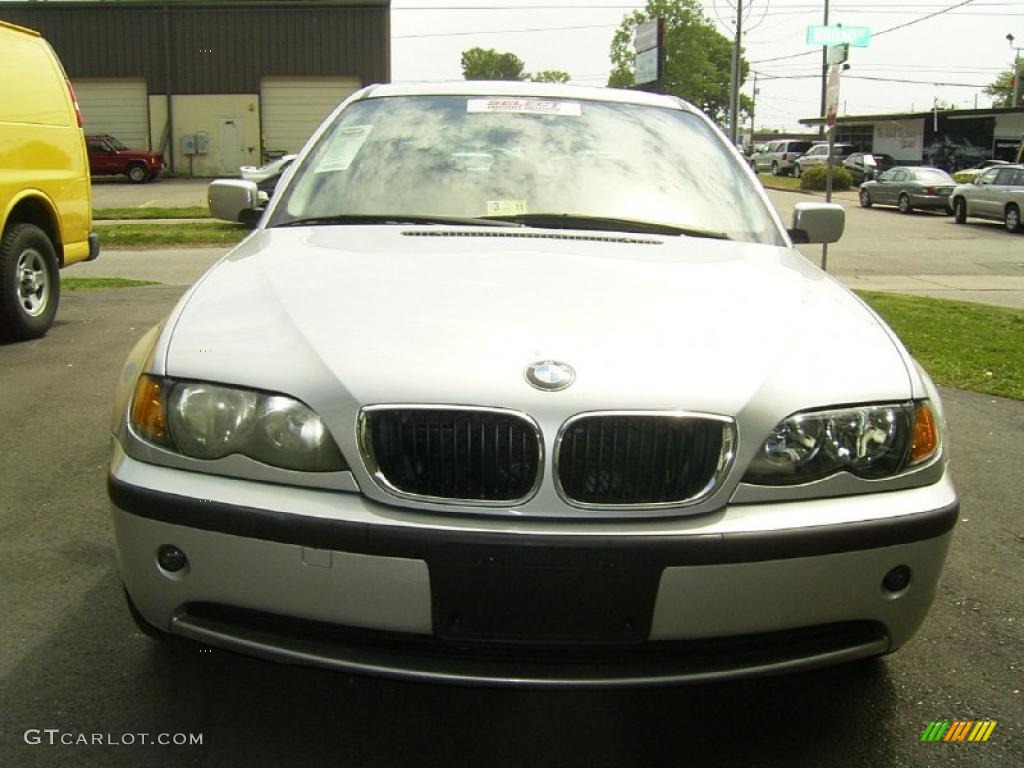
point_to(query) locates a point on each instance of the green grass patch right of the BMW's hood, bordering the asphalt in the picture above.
(979, 348)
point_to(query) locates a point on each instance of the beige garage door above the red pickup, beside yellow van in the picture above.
(118, 107)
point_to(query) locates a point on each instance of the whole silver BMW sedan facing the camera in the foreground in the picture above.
(489, 397)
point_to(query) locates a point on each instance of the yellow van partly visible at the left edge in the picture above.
(46, 199)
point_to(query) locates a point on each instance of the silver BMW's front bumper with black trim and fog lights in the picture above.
(336, 581)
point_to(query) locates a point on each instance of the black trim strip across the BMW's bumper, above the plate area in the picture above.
(537, 549)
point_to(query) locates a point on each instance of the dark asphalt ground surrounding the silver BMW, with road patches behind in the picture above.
(72, 660)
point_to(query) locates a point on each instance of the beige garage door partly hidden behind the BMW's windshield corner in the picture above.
(292, 108)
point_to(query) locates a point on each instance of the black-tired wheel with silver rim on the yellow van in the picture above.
(30, 282)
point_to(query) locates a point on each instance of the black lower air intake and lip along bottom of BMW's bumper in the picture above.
(426, 658)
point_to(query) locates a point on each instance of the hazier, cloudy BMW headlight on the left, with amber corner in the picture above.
(211, 421)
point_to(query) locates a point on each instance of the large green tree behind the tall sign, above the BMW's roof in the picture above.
(698, 61)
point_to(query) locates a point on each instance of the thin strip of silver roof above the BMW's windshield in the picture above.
(522, 89)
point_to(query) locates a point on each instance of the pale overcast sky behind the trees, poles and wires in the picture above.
(966, 47)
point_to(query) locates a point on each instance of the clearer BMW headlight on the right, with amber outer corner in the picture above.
(871, 442)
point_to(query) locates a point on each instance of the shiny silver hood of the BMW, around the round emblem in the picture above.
(343, 317)
